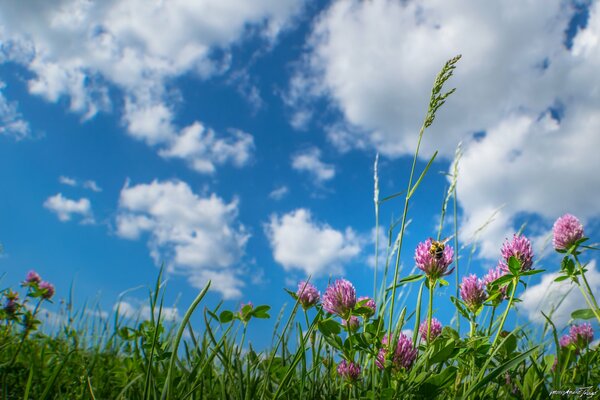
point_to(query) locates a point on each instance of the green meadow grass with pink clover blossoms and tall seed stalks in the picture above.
(335, 346)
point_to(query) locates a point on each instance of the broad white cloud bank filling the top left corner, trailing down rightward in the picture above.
(79, 49)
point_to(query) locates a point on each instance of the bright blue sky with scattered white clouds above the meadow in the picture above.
(234, 141)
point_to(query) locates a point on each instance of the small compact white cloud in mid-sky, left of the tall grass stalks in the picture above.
(298, 242)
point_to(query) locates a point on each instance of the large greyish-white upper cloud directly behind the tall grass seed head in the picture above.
(376, 61)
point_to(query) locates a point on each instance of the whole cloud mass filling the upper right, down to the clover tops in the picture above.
(532, 89)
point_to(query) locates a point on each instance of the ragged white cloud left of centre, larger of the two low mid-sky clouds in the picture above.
(196, 236)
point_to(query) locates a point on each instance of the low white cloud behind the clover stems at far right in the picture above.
(548, 295)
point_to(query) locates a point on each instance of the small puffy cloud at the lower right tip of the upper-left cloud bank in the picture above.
(203, 150)
